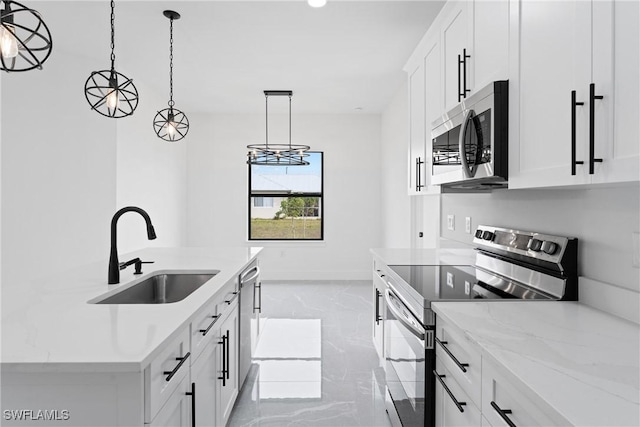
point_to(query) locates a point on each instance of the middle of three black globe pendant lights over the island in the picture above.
(109, 92)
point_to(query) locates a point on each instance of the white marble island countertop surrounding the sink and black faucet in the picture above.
(51, 327)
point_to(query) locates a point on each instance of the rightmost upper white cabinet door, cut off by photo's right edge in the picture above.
(616, 78)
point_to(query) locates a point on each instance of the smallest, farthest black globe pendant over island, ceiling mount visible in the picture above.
(171, 124)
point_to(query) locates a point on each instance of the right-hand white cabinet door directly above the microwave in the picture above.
(490, 60)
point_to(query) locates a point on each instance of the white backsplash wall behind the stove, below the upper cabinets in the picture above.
(603, 219)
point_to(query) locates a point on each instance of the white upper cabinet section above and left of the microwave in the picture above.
(466, 48)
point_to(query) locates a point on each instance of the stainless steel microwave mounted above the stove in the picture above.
(470, 142)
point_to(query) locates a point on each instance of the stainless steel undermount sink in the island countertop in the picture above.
(161, 288)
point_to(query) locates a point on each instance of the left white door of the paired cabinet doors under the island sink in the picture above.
(204, 376)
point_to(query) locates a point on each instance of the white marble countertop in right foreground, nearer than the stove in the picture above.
(582, 362)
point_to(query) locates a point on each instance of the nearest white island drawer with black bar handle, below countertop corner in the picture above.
(165, 372)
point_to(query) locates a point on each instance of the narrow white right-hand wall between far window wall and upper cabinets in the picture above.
(395, 203)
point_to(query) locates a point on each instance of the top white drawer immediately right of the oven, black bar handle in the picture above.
(460, 357)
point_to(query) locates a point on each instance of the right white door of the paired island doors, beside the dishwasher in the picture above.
(228, 355)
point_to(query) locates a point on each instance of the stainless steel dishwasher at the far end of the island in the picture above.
(250, 306)
